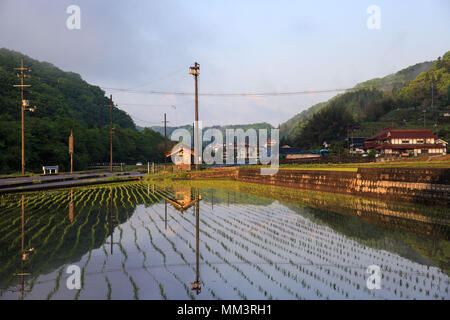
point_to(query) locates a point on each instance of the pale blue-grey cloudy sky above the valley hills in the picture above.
(242, 46)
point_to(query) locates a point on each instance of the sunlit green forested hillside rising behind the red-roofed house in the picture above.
(376, 104)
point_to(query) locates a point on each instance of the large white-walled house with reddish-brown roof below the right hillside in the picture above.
(393, 142)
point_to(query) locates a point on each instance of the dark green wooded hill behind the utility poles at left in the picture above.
(64, 101)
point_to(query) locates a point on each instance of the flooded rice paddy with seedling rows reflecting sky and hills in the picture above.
(144, 241)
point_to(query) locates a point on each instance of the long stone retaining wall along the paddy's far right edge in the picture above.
(428, 186)
